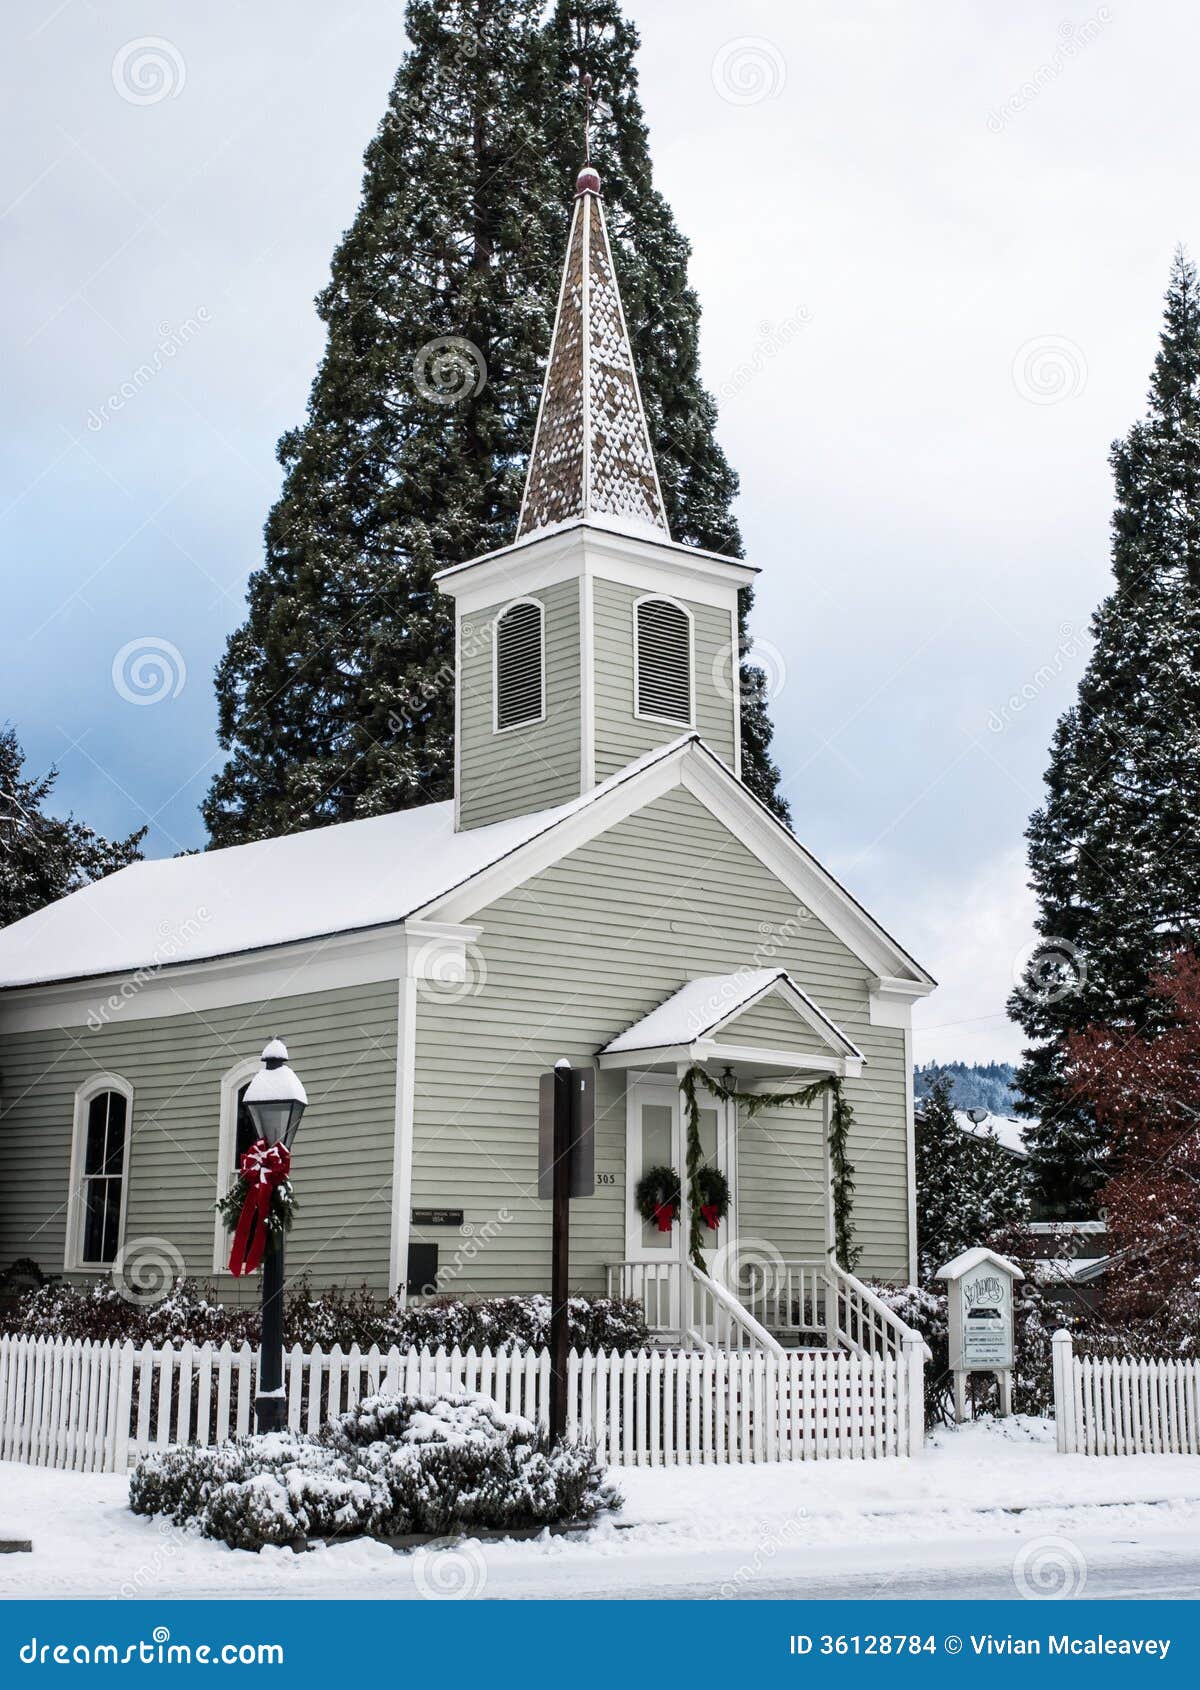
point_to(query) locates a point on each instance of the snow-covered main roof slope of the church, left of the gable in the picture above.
(302, 886)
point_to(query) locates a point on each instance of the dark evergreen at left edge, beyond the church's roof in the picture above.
(45, 858)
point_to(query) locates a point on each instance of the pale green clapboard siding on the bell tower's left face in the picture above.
(532, 768)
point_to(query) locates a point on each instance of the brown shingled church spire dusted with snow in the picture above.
(592, 450)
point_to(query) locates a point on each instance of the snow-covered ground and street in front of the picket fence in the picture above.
(990, 1510)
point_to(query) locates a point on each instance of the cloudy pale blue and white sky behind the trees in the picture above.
(930, 248)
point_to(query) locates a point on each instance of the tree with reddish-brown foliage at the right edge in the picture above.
(1145, 1088)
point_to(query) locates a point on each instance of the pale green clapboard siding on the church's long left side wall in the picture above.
(342, 1045)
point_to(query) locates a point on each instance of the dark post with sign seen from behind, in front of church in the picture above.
(565, 1170)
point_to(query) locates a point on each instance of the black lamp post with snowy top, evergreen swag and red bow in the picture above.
(259, 1211)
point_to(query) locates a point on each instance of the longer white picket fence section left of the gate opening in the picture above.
(97, 1407)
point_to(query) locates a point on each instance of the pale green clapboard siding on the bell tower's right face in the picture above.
(621, 736)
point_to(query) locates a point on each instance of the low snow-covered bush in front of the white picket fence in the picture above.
(393, 1466)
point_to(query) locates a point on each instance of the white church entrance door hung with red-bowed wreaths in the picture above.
(658, 1137)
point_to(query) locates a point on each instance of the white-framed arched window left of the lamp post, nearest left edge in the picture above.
(104, 1125)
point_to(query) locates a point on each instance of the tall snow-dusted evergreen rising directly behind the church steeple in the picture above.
(335, 697)
